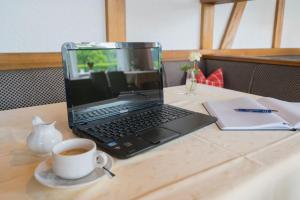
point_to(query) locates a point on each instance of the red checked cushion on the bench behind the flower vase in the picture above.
(214, 79)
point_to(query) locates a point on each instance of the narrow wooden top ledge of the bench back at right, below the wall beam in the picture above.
(264, 60)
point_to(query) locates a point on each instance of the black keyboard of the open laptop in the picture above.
(136, 123)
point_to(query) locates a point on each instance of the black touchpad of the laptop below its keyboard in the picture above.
(157, 135)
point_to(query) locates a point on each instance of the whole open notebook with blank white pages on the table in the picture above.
(287, 117)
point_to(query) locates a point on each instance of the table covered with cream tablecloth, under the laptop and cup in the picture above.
(206, 164)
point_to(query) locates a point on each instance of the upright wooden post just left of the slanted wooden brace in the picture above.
(207, 26)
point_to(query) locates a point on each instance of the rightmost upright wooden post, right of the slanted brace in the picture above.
(278, 22)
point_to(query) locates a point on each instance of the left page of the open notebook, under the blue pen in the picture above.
(228, 118)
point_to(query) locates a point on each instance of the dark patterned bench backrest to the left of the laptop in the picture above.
(24, 88)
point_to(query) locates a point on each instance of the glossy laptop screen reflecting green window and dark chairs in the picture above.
(107, 79)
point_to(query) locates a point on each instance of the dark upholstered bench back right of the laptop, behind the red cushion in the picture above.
(260, 78)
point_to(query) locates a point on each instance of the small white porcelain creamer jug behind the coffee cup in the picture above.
(43, 136)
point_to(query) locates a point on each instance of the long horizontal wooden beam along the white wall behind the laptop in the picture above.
(15, 61)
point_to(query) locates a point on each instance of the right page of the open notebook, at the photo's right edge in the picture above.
(290, 111)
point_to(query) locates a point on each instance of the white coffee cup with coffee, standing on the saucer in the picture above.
(78, 165)
